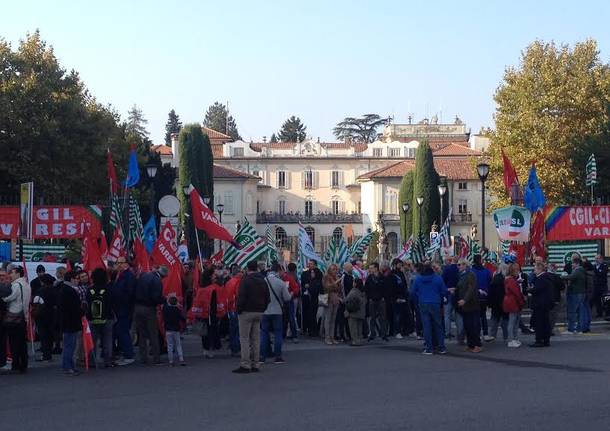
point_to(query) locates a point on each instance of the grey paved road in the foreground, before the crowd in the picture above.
(377, 387)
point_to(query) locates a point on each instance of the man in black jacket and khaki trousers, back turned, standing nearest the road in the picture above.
(252, 301)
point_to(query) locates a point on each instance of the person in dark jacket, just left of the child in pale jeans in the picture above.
(149, 294)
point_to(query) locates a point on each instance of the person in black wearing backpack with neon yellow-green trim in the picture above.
(100, 315)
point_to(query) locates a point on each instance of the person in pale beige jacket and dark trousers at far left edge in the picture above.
(15, 319)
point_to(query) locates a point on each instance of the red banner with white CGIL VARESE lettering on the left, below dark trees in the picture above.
(50, 222)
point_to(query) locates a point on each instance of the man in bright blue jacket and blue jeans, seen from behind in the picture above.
(429, 290)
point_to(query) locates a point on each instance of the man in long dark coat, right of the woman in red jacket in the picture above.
(541, 303)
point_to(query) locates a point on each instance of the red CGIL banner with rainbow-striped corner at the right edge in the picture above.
(576, 223)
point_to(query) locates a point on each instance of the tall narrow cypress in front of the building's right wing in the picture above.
(425, 184)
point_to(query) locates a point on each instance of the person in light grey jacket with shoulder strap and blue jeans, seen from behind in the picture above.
(272, 317)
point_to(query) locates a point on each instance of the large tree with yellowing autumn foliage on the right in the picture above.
(553, 109)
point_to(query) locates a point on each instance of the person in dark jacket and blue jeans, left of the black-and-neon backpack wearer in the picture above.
(70, 312)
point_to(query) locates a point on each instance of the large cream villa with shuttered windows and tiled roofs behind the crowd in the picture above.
(337, 188)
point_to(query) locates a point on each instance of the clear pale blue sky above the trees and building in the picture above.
(320, 60)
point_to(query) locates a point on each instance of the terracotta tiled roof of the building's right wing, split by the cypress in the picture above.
(453, 169)
